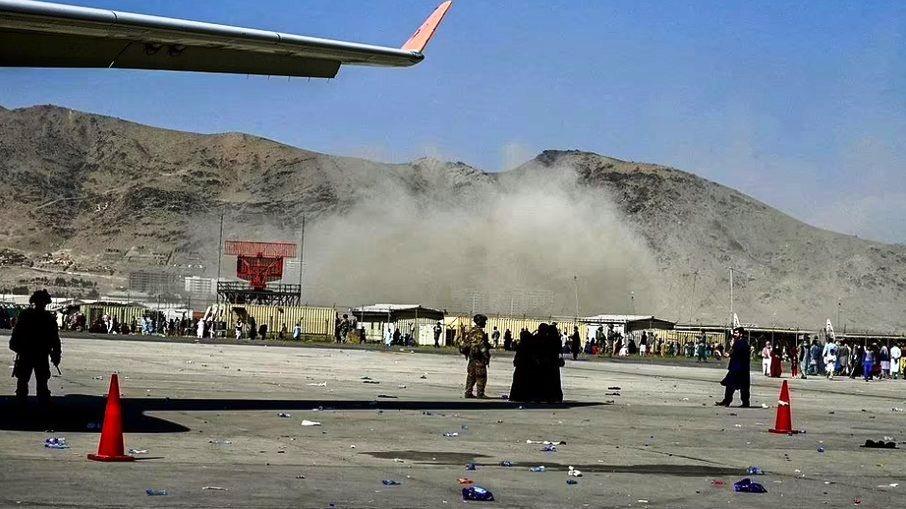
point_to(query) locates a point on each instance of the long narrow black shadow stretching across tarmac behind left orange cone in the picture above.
(79, 412)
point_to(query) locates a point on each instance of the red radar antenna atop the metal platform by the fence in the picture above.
(259, 262)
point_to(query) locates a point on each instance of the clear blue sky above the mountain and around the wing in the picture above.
(799, 104)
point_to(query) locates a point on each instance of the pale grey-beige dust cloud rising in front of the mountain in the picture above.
(522, 241)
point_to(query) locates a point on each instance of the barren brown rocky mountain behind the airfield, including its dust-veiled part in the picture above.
(97, 197)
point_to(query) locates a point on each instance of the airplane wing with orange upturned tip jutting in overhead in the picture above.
(42, 34)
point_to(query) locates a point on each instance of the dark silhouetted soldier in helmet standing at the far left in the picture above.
(35, 337)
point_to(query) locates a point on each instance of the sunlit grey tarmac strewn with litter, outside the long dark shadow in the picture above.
(643, 435)
